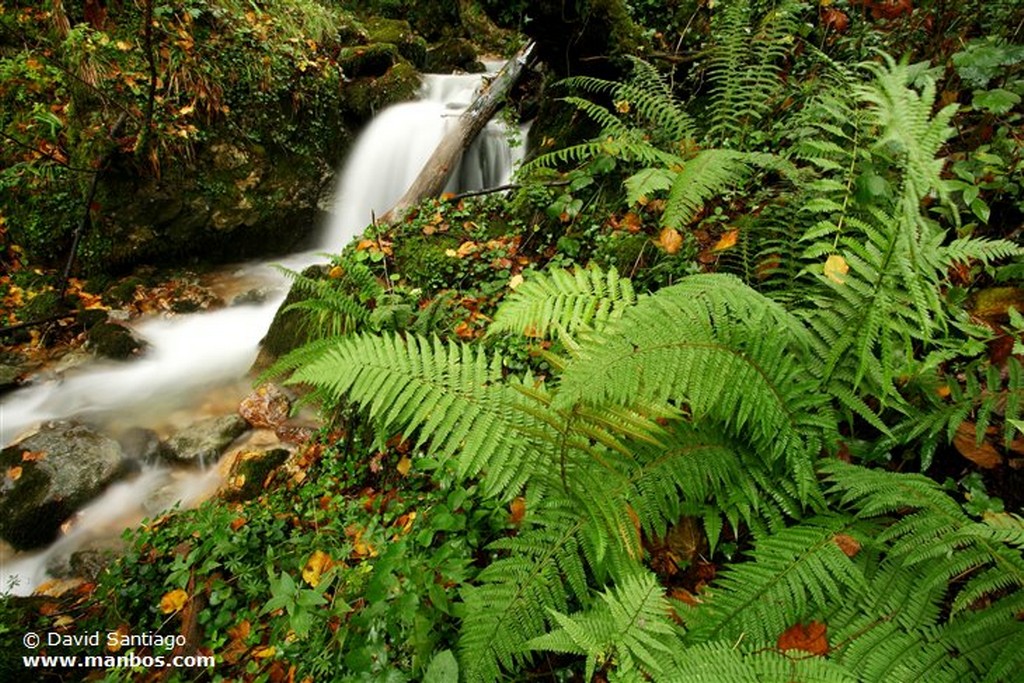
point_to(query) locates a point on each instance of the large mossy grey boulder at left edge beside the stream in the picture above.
(50, 477)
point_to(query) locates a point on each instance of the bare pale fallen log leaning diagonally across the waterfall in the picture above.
(434, 178)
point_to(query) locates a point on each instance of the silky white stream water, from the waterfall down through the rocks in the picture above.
(196, 365)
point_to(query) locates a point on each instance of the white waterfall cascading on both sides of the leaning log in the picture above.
(392, 151)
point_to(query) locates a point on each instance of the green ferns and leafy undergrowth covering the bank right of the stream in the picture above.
(731, 391)
